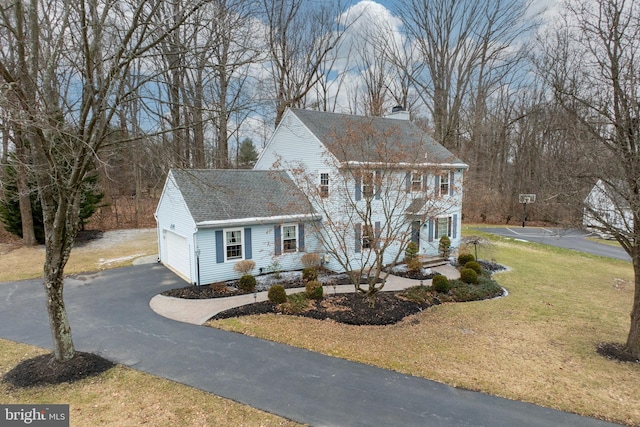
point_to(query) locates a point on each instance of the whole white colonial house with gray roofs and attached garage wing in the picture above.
(326, 183)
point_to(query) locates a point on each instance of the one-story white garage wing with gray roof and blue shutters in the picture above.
(208, 220)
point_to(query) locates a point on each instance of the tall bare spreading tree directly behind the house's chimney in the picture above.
(464, 46)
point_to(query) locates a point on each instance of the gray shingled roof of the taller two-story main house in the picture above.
(391, 140)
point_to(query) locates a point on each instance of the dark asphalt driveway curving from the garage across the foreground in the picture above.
(110, 315)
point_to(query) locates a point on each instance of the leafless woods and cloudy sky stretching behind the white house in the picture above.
(472, 73)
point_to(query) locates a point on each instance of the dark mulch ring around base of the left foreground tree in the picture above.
(45, 369)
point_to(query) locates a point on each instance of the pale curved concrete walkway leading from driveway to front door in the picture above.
(197, 312)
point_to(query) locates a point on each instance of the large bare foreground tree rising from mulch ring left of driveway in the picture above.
(77, 58)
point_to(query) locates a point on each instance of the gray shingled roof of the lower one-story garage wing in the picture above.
(225, 194)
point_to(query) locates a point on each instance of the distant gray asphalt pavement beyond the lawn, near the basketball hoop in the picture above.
(568, 239)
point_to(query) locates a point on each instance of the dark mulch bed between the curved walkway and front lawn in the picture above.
(352, 309)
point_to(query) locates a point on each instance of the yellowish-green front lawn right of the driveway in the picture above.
(537, 345)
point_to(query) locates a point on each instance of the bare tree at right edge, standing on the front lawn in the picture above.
(592, 64)
